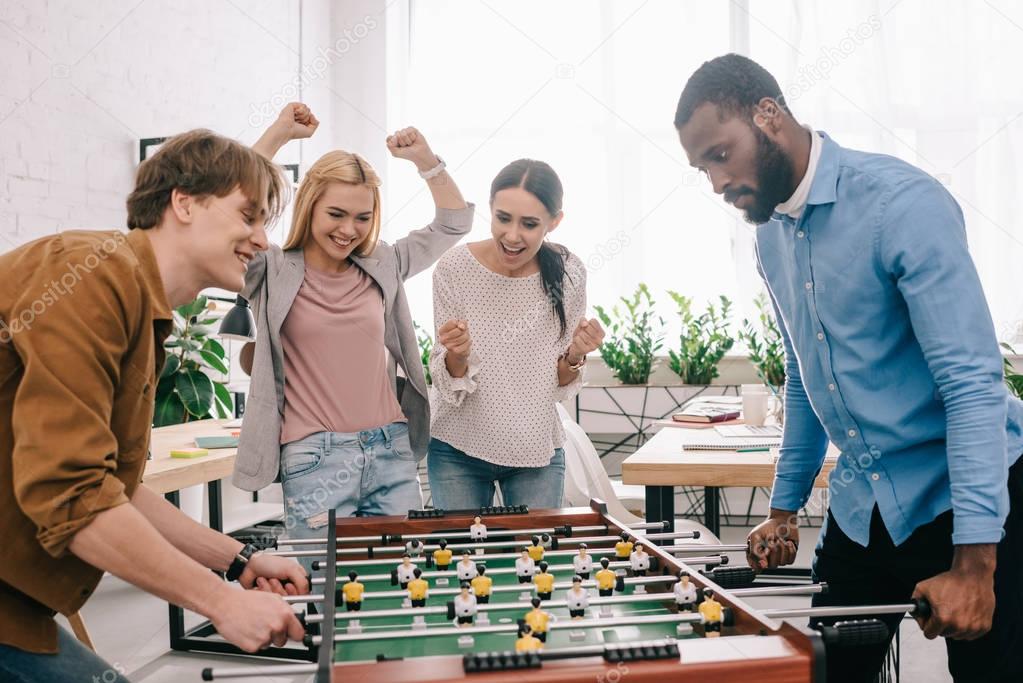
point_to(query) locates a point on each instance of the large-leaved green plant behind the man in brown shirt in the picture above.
(186, 391)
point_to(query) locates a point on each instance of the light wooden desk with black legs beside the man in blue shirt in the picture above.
(660, 466)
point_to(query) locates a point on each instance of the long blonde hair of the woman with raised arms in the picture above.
(335, 167)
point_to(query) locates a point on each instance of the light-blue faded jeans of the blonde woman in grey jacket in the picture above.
(366, 474)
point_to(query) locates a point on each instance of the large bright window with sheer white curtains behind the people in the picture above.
(592, 89)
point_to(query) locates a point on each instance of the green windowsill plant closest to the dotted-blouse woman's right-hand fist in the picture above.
(634, 337)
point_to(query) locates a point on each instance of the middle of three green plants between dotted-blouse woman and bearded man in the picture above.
(703, 343)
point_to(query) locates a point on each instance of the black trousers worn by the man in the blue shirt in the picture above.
(884, 573)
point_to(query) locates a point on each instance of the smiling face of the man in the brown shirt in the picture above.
(227, 234)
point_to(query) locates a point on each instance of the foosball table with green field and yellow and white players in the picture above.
(568, 596)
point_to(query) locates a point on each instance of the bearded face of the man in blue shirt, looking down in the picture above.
(744, 164)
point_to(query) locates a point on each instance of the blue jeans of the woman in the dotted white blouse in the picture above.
(460, 482)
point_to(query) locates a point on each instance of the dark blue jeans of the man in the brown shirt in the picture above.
(74, 662)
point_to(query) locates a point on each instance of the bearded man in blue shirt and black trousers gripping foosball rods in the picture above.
(892, 355)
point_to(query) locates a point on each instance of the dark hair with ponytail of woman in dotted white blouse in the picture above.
(540, 179)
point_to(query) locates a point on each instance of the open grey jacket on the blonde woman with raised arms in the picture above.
(274, 281)
